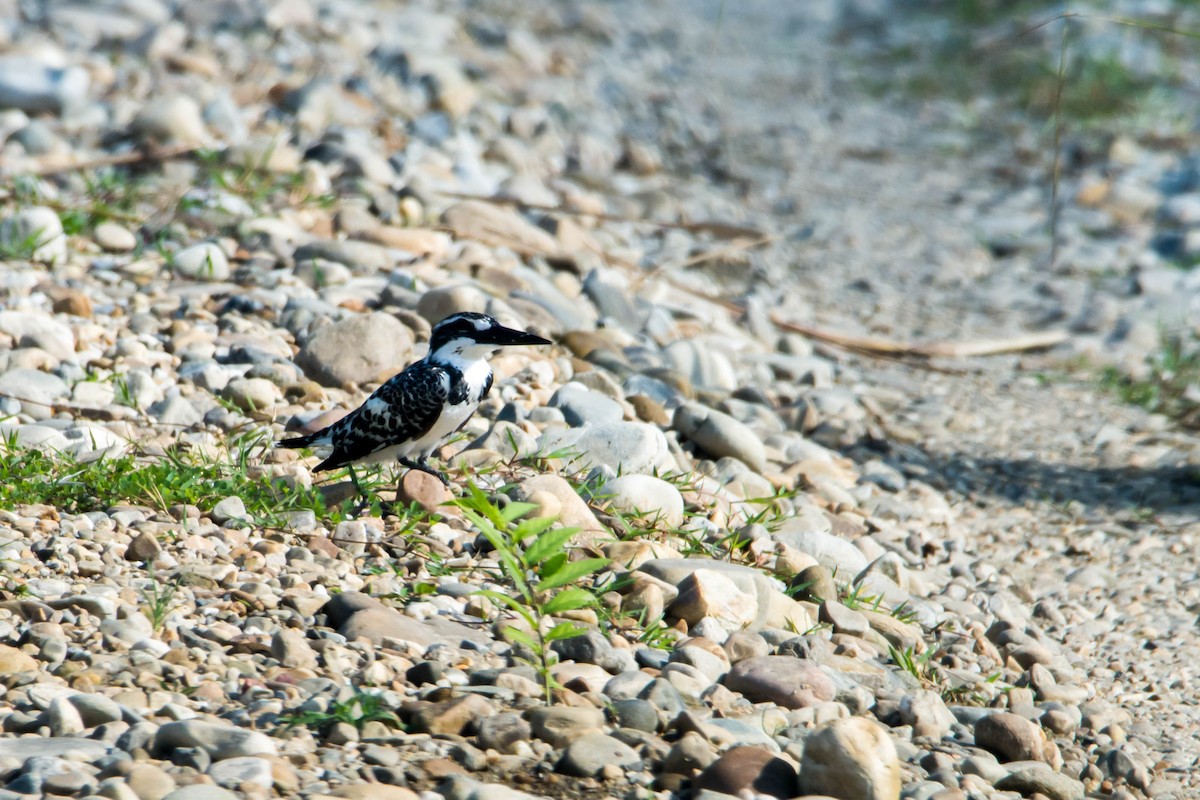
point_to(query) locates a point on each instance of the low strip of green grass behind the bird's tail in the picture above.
(38, 478)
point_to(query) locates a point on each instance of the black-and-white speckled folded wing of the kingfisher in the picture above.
(404, 410)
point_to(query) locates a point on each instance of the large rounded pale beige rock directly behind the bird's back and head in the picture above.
(357, 351)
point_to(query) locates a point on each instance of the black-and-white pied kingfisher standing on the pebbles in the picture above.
(415, 412)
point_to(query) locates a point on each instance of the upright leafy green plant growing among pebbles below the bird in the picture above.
(535, 562)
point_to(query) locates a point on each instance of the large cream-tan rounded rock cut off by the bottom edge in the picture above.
(851, 760)
